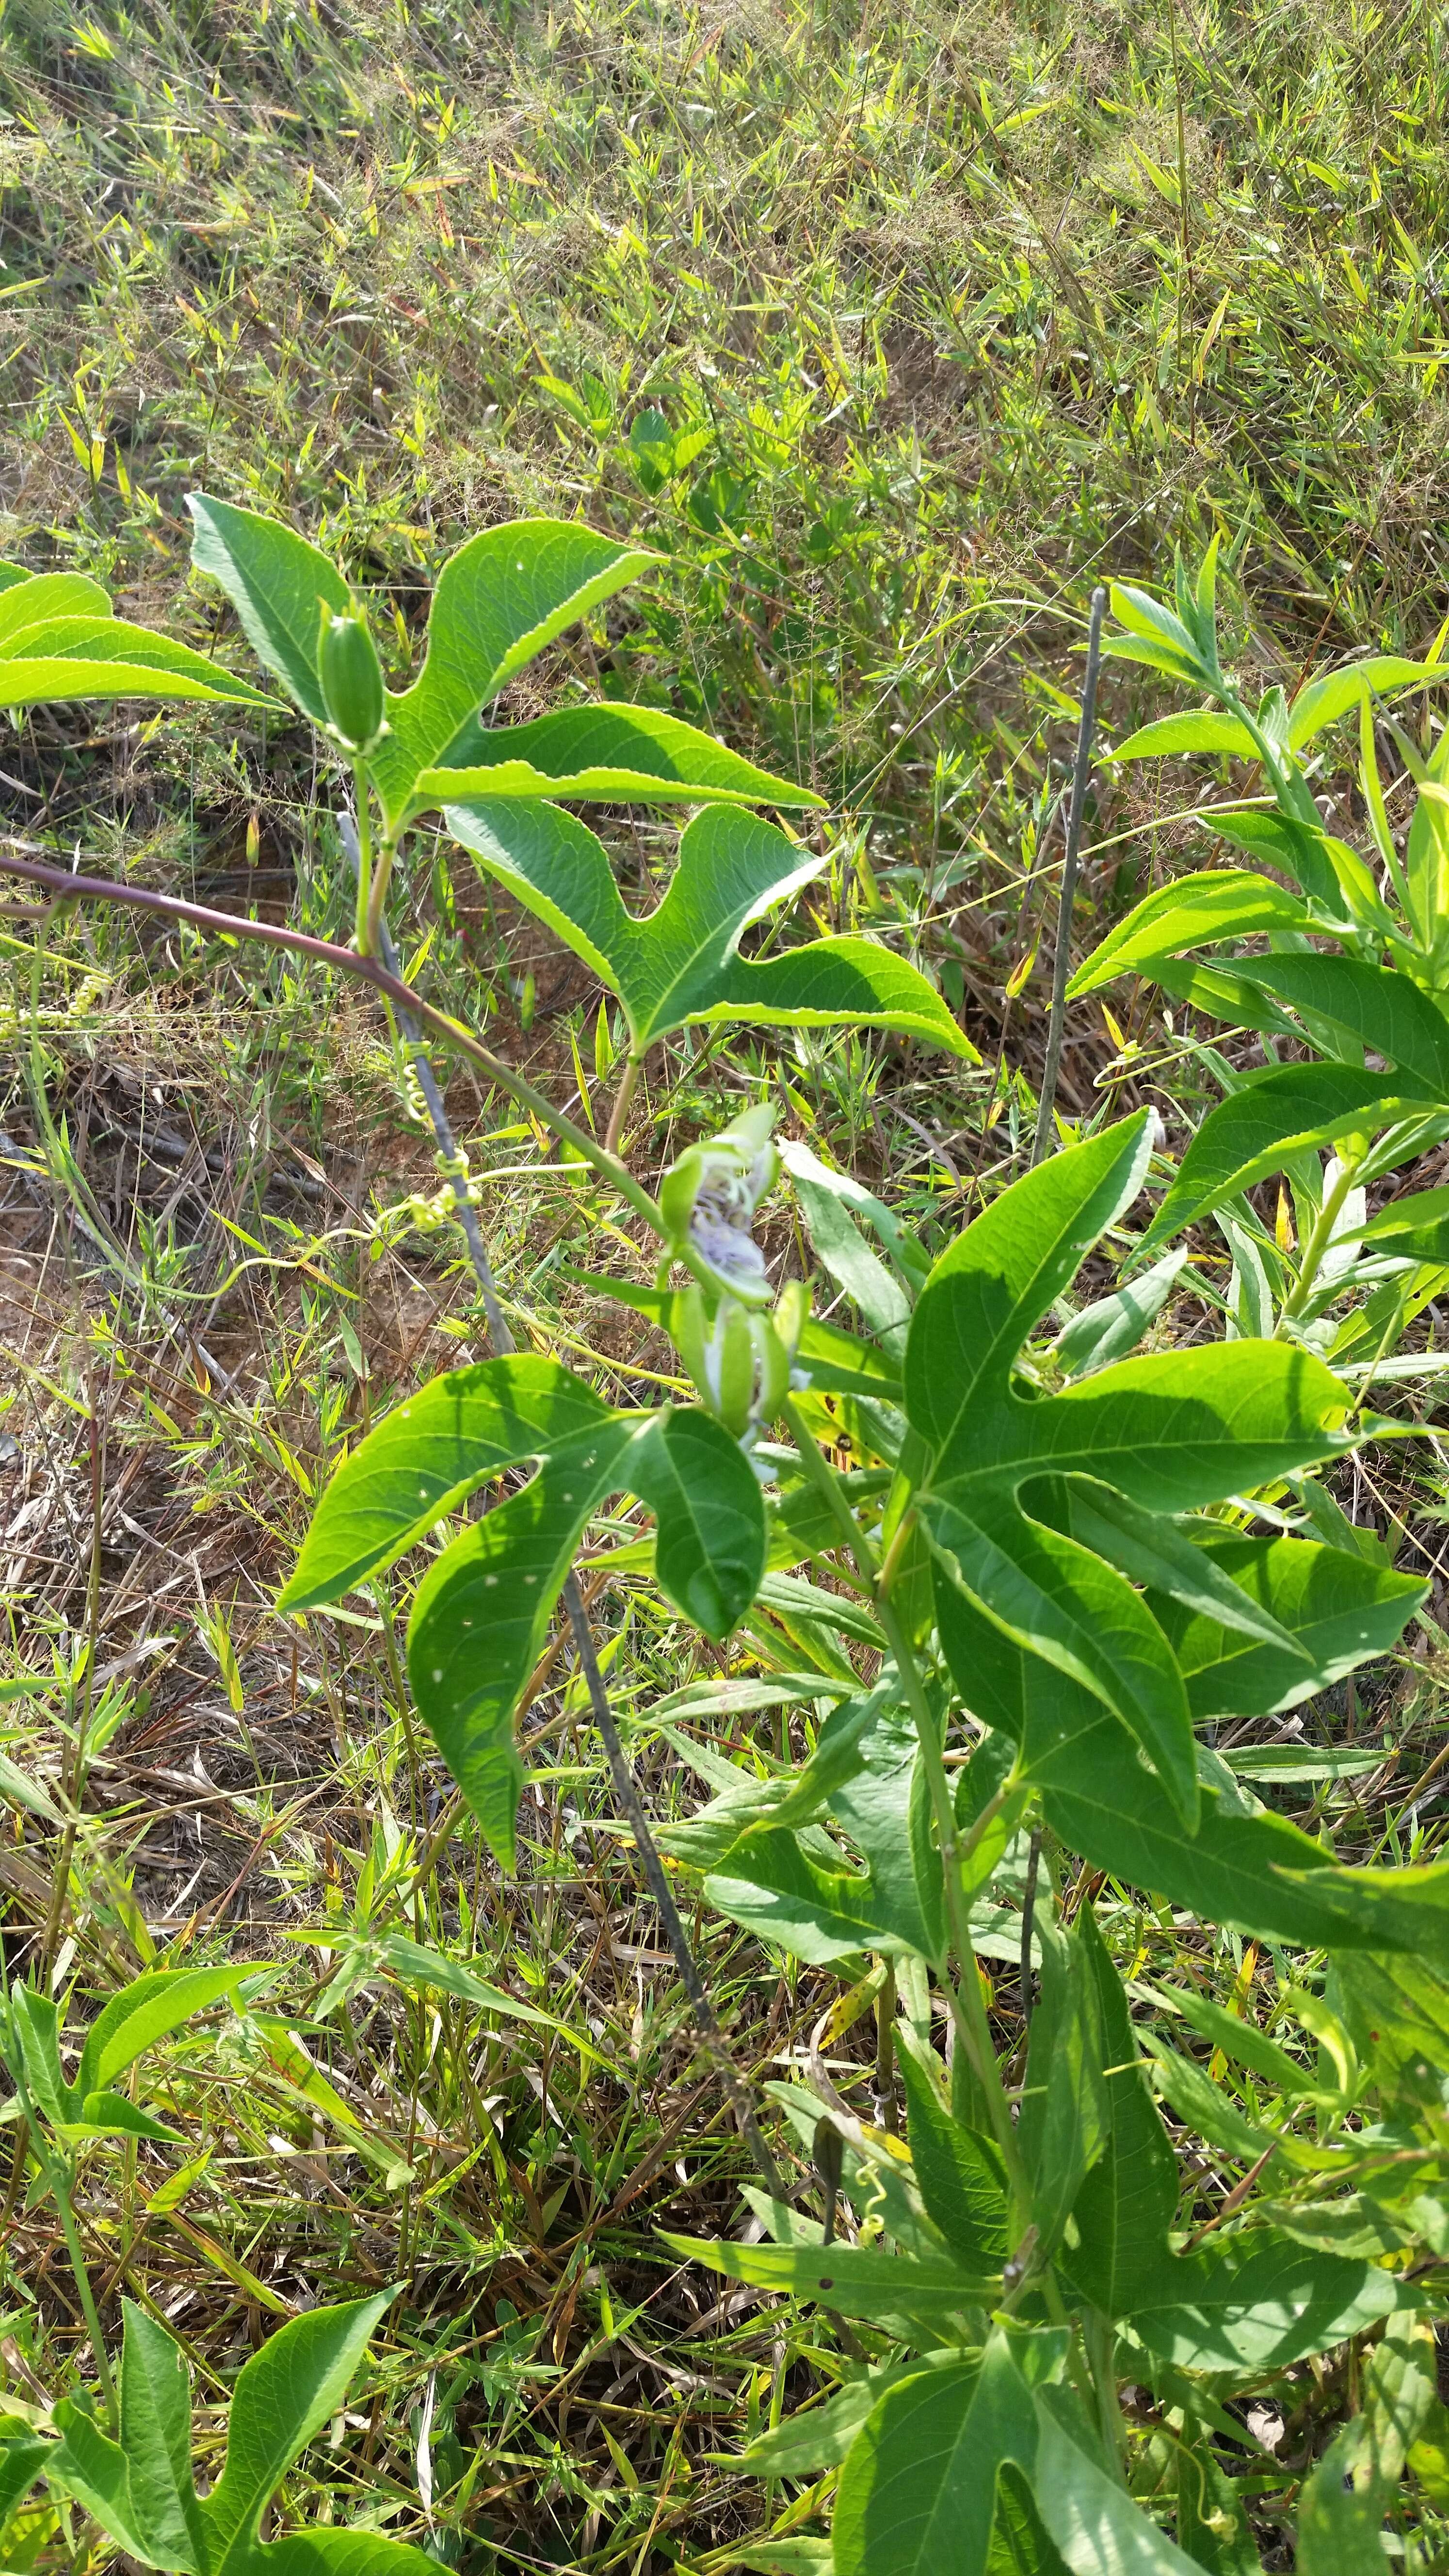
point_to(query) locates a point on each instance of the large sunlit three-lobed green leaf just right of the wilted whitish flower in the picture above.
(1169, 1431)
